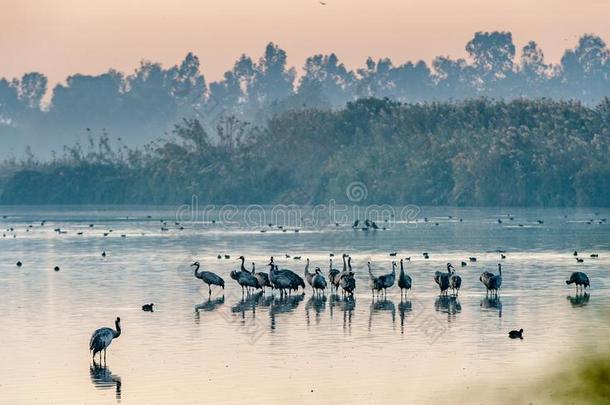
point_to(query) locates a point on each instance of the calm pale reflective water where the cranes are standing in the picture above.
(194, 349)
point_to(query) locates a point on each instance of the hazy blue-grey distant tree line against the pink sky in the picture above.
(143, 105)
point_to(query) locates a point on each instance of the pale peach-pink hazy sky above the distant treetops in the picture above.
(59, 37)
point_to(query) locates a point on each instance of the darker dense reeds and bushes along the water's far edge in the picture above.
(476, 152)
